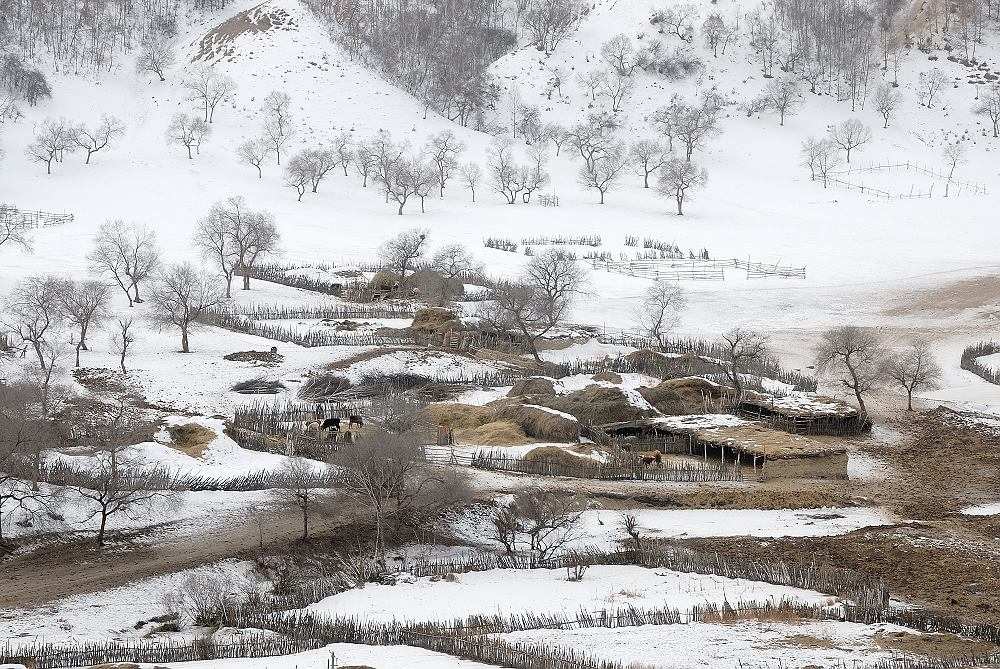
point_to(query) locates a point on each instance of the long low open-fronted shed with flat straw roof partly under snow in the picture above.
(766, 452)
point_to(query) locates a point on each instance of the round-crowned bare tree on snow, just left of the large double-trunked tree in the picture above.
(126, 254)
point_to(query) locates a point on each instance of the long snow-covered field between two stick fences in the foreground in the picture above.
(507, 591)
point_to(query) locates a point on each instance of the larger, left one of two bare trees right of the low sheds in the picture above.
(855, 356)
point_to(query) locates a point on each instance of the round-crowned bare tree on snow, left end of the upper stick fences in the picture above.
(182, 294)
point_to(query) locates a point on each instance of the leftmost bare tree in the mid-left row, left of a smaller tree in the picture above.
(32, 313)
